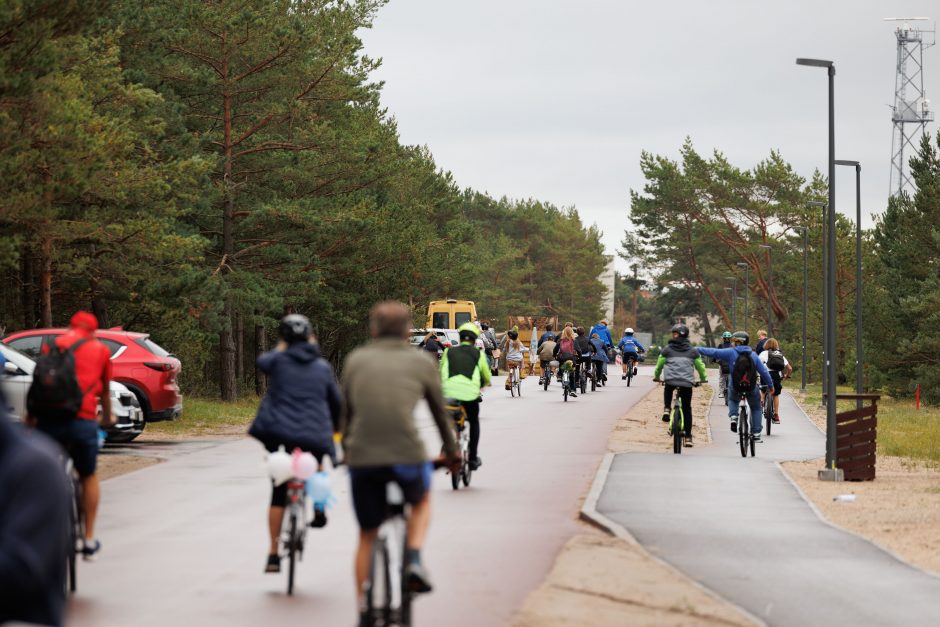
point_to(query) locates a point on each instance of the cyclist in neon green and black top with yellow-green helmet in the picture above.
(464, 372)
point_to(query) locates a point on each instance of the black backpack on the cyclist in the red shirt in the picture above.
(54, 393)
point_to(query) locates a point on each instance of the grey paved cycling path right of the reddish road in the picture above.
(740, 527)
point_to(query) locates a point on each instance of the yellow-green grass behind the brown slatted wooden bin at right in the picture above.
(903, 431)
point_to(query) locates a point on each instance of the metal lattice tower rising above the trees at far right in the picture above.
(911, 110)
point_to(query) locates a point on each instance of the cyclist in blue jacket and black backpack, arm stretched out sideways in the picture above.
(744, 366)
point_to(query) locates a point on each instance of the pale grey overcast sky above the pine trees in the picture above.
(555, 99)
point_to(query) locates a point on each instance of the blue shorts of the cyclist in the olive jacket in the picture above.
(368, 489)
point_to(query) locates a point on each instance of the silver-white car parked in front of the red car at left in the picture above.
(18, 375)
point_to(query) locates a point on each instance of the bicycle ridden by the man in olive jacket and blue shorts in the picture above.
(388, 599)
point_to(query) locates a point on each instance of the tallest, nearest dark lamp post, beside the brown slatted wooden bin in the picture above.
(830, 473)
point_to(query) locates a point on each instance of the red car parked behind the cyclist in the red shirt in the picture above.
(138, 362)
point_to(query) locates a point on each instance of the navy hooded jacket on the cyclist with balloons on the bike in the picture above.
(302, 406)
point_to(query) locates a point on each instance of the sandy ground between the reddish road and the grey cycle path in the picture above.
(603, 581)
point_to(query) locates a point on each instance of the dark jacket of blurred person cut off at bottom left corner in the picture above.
(33, 519)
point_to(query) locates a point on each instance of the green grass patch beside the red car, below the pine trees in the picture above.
(205, 416)
